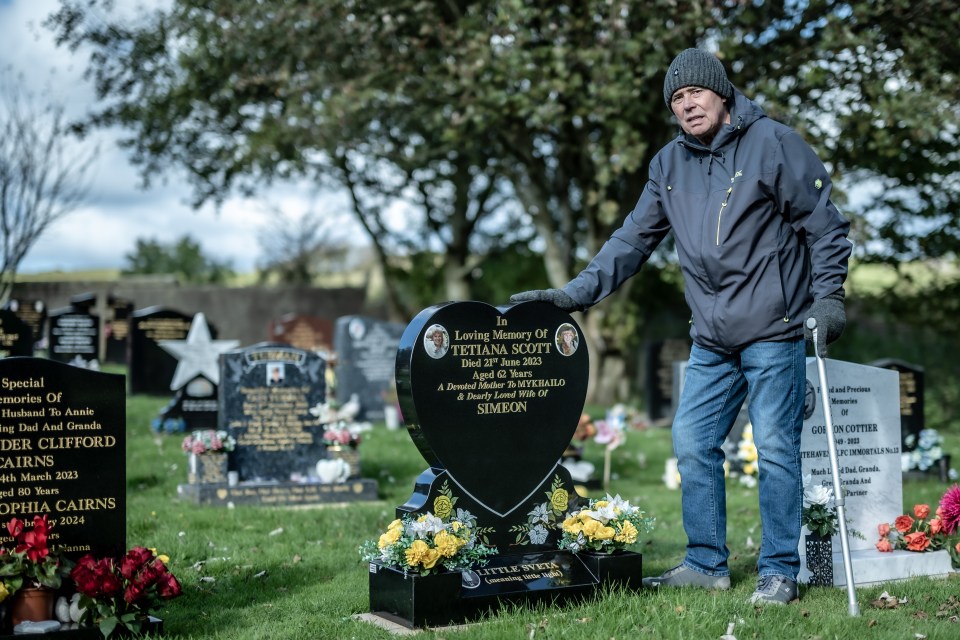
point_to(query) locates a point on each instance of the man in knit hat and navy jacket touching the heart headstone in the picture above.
(762, 248)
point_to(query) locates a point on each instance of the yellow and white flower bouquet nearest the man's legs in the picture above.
(606, 525)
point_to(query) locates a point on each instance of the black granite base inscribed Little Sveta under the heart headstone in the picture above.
(415, 601)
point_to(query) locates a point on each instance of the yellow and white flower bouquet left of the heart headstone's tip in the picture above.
(428, 544)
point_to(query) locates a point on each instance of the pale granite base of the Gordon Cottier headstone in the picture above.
(872, 567)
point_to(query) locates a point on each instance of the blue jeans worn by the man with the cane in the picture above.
(715, 386)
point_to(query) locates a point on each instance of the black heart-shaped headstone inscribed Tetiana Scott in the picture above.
(493, 394)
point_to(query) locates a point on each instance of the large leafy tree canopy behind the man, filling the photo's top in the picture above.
(527, 122)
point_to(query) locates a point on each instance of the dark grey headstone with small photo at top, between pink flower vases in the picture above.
(266, 393)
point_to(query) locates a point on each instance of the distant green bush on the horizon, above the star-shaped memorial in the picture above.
(183, 258)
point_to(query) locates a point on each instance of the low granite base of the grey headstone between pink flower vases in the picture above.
(278, 494)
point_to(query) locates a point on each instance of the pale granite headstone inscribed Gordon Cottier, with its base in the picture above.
(865, 411)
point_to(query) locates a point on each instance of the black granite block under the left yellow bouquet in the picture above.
(414, 600)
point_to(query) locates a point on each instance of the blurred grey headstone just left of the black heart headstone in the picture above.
(366, 357)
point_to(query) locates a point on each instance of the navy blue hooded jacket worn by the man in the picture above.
(756, 233)
